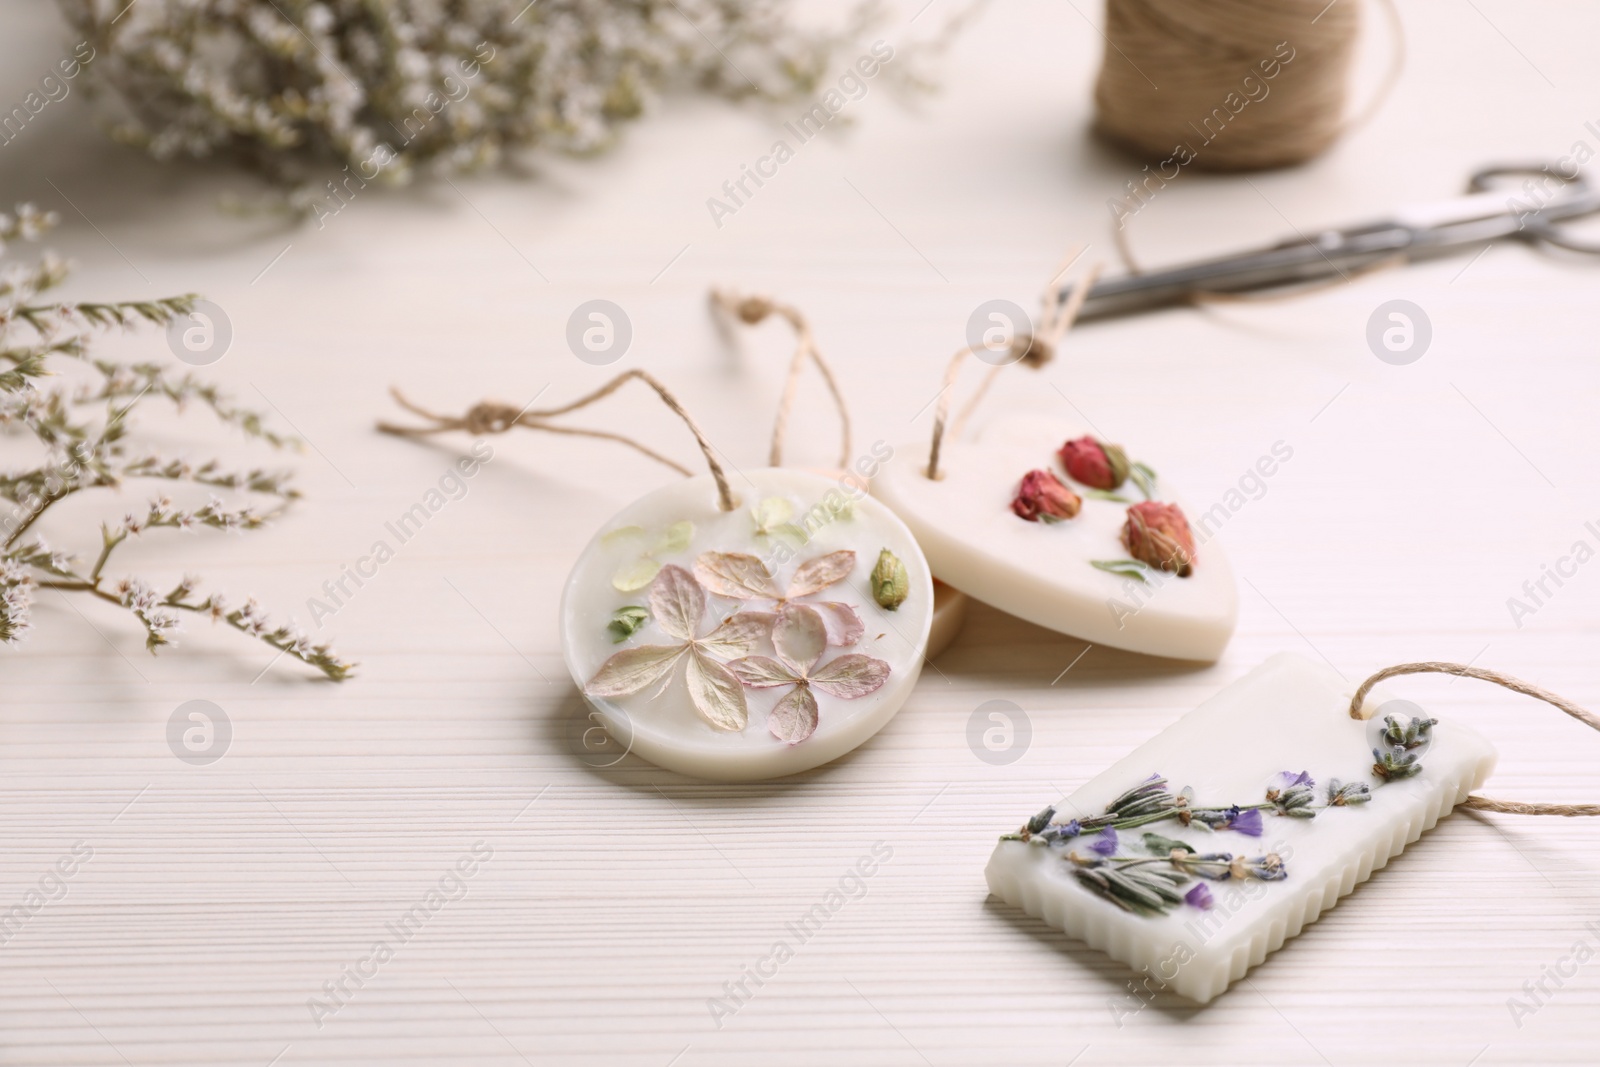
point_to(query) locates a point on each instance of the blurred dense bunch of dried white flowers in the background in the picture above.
(284, 82)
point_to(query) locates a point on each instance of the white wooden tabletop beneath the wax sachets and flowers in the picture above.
(618, 903)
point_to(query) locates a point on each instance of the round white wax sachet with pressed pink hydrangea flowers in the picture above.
(748, 644)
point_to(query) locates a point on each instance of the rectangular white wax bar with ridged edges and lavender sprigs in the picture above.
(1287, 716)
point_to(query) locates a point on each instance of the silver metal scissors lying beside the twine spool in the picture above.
(1492, 210)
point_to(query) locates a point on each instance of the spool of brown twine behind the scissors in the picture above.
(1231, 84)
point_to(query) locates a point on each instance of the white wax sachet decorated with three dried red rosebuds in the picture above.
(1066, 533)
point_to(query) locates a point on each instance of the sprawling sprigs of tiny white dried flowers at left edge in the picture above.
(82, 452)
